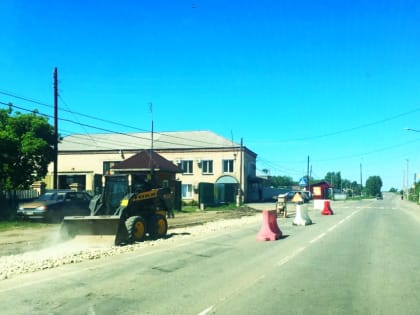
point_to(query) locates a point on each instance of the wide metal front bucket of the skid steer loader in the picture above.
(111, 225)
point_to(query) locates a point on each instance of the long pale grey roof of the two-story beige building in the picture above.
(142, 141)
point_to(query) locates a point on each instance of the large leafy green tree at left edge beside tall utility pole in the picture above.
(26, 146)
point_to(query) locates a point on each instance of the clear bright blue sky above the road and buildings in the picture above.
(333, 80)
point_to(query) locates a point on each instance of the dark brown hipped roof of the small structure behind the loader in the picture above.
(147, 160)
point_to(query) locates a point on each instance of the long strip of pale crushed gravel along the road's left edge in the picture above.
(76, 251)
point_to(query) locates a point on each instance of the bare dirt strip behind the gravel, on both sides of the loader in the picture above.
(21, 240)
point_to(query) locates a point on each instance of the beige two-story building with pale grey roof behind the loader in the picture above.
(209, 162)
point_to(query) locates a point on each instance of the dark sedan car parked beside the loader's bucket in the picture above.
(53, 206)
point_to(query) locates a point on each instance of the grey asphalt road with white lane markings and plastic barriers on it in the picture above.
(364, 259)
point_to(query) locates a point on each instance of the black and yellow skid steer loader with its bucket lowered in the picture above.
(139, 214)
